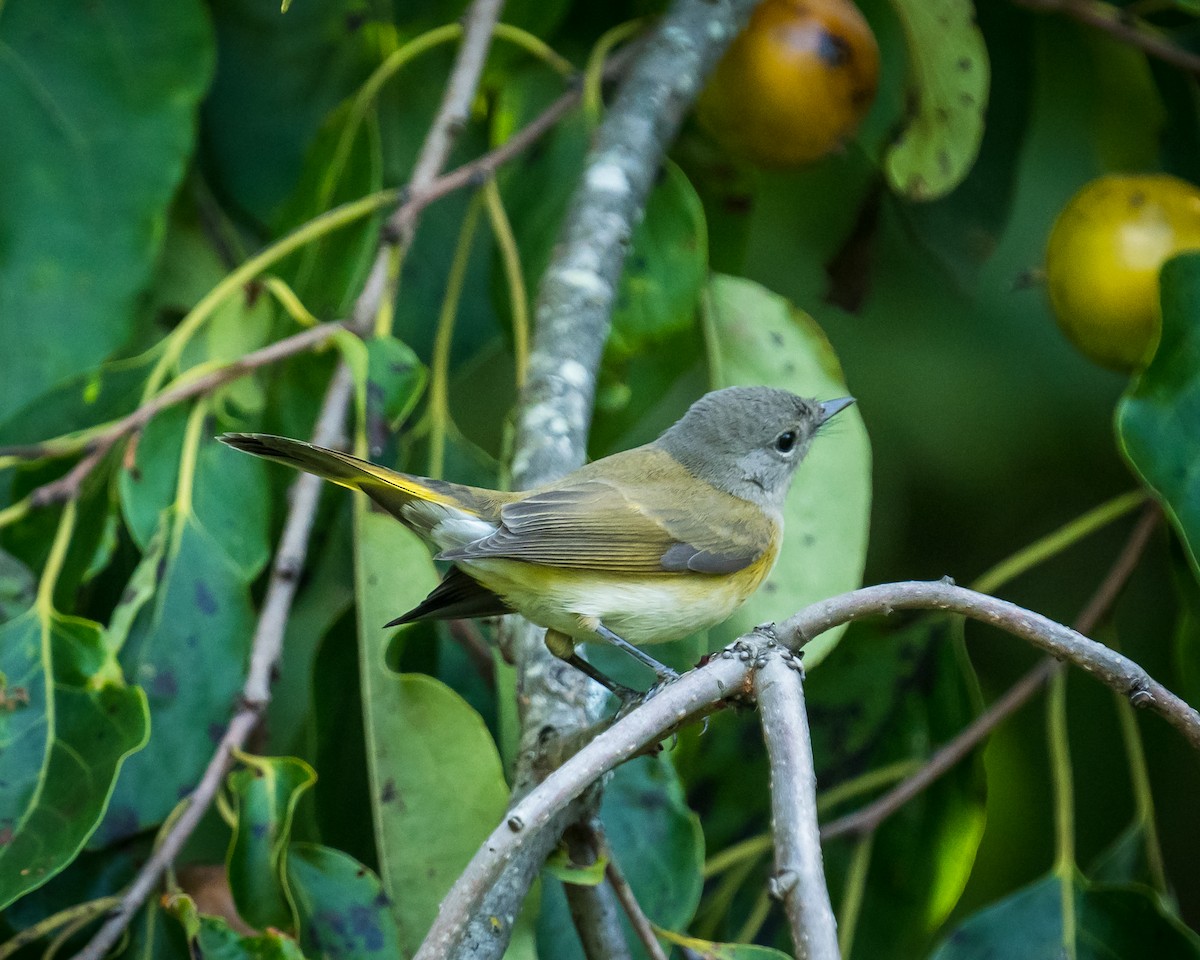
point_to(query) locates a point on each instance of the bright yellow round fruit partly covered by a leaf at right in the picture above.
(1103, 259)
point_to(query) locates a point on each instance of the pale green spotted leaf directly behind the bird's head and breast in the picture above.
(758, 338)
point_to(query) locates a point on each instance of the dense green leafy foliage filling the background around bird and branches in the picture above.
(151, 149)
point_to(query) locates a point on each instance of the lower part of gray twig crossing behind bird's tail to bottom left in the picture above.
(265, 655)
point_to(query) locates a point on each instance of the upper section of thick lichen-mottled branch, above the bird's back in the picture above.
(580, 284)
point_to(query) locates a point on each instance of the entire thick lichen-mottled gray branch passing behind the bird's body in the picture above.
(557, 704)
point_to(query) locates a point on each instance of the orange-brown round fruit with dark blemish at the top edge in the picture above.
(795, 85)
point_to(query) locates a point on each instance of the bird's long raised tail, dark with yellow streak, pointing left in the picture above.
(392, 490)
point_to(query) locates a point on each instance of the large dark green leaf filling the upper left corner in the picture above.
(92, 160)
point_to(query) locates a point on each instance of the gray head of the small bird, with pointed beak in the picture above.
(748, 441)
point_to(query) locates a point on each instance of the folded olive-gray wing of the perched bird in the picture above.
(635, 529)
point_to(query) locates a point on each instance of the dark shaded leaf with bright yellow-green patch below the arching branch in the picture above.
(883, 698)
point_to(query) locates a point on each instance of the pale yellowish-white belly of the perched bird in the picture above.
(639, 609)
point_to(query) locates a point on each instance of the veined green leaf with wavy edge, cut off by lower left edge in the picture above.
(67, 724)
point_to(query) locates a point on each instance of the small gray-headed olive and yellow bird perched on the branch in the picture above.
(643, 547)
